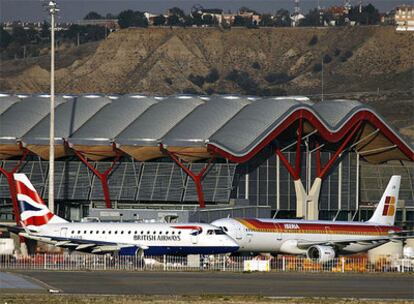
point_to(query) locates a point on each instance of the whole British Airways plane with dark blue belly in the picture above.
(40, 224)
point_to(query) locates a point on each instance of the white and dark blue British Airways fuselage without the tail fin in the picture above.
(156, 238)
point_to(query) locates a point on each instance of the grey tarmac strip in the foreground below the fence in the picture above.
(274, 284)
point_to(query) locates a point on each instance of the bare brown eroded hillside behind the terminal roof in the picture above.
(266, 61)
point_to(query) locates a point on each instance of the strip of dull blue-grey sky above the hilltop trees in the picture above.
(73, 10)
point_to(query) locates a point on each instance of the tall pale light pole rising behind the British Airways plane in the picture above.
(52, 8)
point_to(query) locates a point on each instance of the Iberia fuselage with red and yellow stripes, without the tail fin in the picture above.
(283, 236)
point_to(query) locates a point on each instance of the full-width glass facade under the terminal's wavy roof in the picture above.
(259, 181)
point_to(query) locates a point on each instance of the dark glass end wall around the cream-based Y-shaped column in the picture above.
(262, 181)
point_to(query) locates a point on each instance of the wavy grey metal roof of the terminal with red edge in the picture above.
(234, 127)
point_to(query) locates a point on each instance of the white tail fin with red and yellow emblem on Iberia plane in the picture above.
(385, 212)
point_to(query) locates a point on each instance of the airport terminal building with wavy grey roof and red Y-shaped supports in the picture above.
(211, 156)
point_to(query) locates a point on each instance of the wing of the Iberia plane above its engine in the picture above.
(366, 241)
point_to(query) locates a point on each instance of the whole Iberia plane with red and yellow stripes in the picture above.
(320, 240)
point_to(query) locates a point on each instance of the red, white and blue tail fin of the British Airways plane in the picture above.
(33, 211)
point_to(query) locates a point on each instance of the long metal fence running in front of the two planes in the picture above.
(74, 262)
